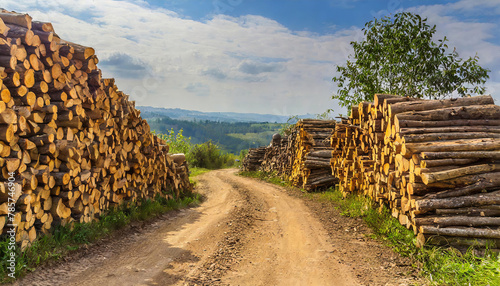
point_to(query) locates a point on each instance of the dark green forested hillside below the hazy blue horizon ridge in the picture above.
(231, 137)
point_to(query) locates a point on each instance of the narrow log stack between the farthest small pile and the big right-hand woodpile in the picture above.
(312, 154)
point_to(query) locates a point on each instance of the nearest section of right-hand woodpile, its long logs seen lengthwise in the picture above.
(450, 147)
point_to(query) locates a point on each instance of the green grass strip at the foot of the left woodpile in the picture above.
(62, 240)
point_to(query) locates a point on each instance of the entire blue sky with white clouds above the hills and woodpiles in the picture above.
(259, 56)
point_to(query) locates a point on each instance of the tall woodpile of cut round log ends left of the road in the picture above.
(75, 144)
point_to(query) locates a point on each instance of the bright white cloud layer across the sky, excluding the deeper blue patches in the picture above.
(243, 64)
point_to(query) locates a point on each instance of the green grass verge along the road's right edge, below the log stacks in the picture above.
(441, 266)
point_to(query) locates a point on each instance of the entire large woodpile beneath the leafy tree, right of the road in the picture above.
(435, 163)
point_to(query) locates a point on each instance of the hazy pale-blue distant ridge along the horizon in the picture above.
(148, 112)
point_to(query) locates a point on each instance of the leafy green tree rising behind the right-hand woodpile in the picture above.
(399, 56)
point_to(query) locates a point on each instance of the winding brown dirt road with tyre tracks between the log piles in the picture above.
(247, 232)
